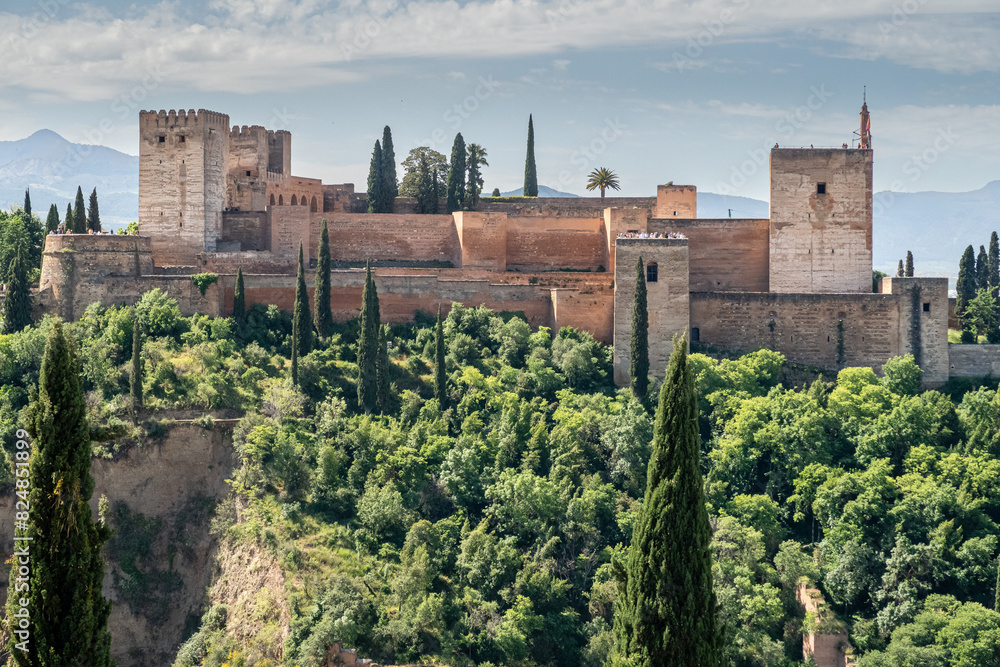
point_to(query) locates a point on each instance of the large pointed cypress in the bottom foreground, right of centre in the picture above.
(665, 614)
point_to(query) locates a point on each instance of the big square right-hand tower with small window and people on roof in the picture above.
(821, 220)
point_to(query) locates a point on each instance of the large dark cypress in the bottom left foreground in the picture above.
(68, 614)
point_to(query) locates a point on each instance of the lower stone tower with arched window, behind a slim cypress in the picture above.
(666, 269)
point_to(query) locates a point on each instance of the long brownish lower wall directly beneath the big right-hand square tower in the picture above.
(805, 326)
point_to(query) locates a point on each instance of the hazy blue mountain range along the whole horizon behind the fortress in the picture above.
(936, 226)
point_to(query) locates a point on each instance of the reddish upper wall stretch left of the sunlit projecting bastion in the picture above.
(357, 237)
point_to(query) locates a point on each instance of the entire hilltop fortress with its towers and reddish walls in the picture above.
(215, 198)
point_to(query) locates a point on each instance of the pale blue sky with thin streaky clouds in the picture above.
(690, 91)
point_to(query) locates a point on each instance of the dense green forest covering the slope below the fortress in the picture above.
(484, 528)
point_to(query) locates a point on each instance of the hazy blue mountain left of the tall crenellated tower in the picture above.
(53, 167)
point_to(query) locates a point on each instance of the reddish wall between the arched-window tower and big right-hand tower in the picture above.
(726, 254)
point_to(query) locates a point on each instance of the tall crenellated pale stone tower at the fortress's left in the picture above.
(183, 164)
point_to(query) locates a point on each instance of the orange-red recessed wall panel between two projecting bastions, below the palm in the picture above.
(540, 244)
